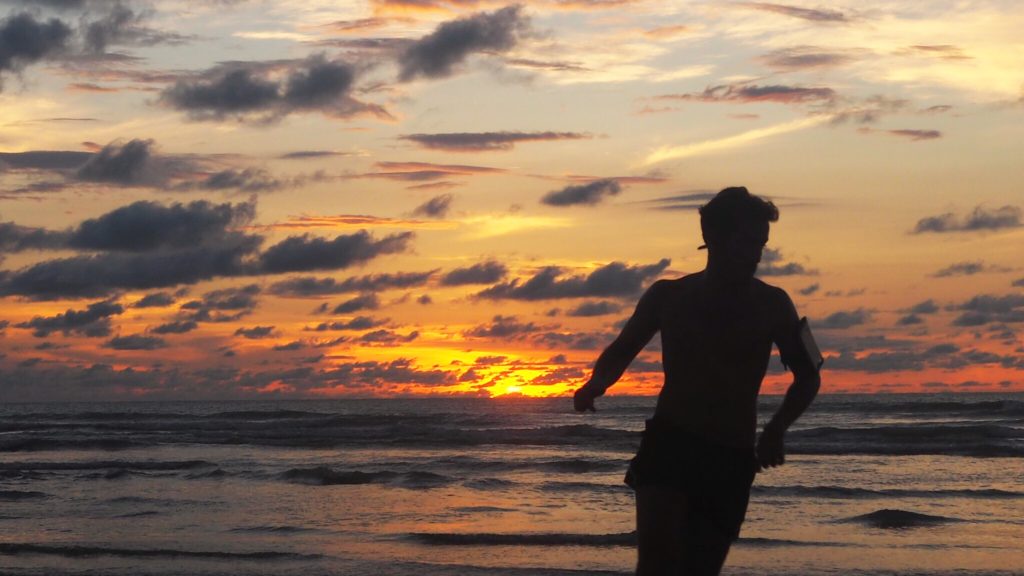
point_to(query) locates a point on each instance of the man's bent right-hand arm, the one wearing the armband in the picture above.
(806, 382)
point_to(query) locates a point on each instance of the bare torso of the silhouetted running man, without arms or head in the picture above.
(716, 346)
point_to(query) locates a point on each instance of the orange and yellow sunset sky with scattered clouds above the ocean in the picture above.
(258, 199)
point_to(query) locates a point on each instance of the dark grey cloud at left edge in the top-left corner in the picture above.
(24, 40)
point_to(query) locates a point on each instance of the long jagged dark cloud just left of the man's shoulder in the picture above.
(616, 279)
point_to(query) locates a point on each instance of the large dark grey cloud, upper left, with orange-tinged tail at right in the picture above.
(258, 91)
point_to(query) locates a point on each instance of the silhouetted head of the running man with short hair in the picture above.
(735, 226)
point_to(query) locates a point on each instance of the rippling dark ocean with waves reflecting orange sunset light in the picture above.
(885, 484)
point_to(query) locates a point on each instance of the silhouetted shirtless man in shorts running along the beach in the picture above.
(698, 456)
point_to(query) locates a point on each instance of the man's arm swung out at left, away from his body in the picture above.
(616, 359)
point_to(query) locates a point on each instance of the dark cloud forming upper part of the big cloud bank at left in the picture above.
(146, 226)
